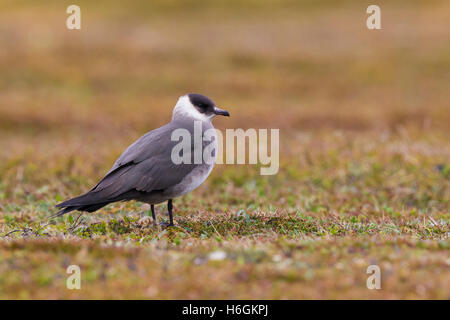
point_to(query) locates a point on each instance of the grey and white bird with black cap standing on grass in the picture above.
(146, 171)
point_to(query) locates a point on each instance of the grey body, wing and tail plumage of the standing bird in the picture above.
(144, 171)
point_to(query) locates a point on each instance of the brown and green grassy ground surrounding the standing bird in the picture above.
(364, 148)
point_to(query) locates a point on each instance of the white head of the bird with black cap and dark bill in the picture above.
(198, 107)
